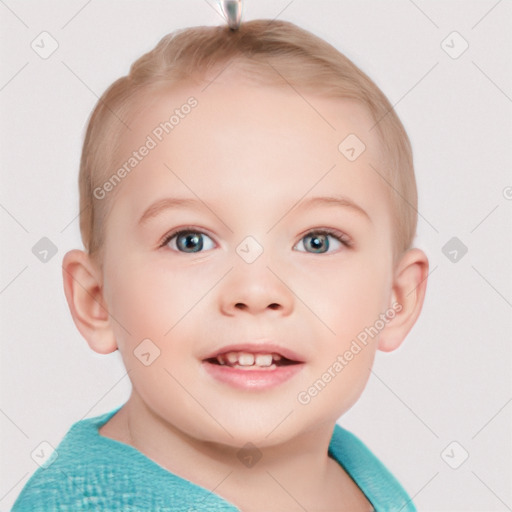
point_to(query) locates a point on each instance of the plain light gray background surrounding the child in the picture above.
(450, 381)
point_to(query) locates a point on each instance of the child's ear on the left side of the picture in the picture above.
(84, 294)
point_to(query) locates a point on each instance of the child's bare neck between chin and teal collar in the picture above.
(294, 475)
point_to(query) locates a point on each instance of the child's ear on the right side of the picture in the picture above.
(408, 294)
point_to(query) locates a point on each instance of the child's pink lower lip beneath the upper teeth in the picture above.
(252, 379)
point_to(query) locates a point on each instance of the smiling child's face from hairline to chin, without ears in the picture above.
(249, 160)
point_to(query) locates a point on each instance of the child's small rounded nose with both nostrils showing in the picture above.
(255, 289)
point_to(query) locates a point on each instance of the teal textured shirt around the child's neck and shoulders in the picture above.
(95, 473)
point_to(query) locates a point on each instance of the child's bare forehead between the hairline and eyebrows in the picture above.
(232, 138)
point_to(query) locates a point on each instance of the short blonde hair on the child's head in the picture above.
(262, 46)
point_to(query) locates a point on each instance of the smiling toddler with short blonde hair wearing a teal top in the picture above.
(248, 205)
